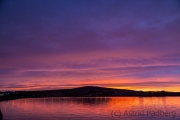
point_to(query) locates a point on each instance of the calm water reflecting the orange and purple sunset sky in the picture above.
(122, 108)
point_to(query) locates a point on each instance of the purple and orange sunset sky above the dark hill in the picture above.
(56, 44)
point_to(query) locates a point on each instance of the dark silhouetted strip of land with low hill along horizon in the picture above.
(87, 91)
